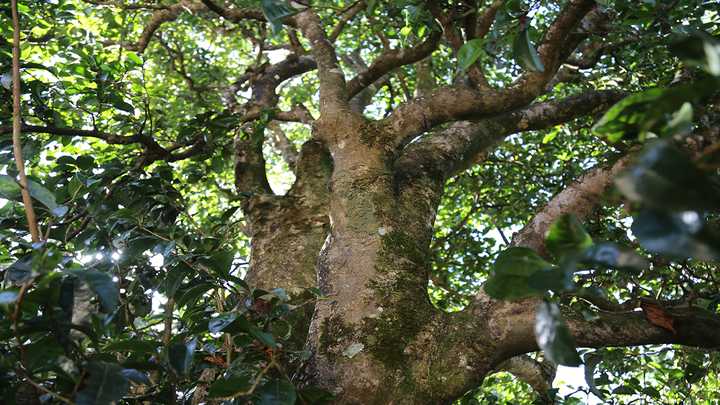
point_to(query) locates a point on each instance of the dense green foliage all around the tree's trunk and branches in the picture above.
(137, 292)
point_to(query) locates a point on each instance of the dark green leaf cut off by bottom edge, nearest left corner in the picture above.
(105, 384)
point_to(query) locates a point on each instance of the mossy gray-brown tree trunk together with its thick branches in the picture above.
(359, 221)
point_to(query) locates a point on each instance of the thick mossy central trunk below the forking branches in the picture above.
(377, 338)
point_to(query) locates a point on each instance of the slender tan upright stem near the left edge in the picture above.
(17, 124)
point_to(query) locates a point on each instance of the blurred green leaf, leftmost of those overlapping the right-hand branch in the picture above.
(510, 276)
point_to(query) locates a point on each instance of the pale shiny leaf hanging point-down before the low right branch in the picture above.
(553, 336)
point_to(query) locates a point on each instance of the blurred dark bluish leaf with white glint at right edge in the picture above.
(679, 235)
